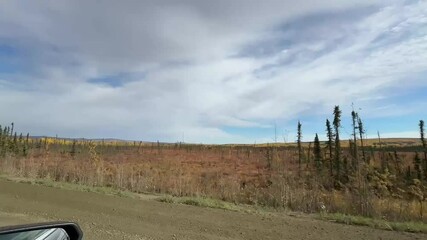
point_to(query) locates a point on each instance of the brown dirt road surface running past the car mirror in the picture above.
(110, 217)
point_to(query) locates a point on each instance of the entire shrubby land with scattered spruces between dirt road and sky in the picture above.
(381, 178)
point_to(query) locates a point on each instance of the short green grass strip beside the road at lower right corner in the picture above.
(415, 227)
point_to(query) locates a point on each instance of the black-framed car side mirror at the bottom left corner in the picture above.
(42, 231)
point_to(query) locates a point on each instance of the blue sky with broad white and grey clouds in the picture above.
(241, 71)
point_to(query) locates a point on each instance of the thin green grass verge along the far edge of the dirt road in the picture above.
(416, 227)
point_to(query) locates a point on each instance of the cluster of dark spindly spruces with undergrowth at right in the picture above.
(340, 168)
